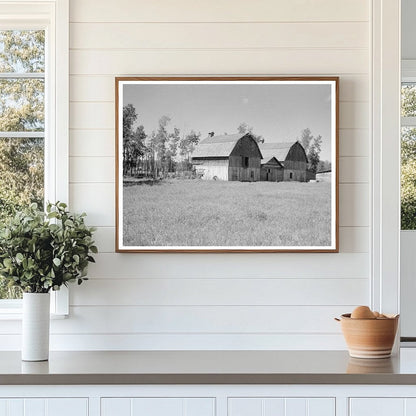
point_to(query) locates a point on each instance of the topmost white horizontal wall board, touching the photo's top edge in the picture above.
(218, 11)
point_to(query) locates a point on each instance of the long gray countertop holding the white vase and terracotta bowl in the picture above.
(207, 367)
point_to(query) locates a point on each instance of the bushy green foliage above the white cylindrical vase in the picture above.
(43, 251)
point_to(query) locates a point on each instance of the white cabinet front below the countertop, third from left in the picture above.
(281, 406)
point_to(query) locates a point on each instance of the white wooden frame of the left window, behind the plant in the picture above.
(53, 17)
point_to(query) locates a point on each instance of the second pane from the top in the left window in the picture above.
(22, 104)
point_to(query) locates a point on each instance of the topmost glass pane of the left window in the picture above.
(22, 51)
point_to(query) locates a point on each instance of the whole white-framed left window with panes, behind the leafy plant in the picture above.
(33, 112)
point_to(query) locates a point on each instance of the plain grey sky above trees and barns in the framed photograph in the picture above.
(278, 112)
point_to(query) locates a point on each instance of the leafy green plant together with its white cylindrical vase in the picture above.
(40, 252)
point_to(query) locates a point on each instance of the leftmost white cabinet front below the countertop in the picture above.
(44, 407)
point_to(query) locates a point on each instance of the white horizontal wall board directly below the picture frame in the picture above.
(199, 266)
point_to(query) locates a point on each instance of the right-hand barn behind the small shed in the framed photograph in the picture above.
(291, 155)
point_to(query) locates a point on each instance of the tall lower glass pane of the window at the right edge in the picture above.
(408, 178)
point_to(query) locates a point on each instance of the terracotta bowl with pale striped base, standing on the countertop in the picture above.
(369, 338)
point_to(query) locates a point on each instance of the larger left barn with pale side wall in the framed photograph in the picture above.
(229, 157)
